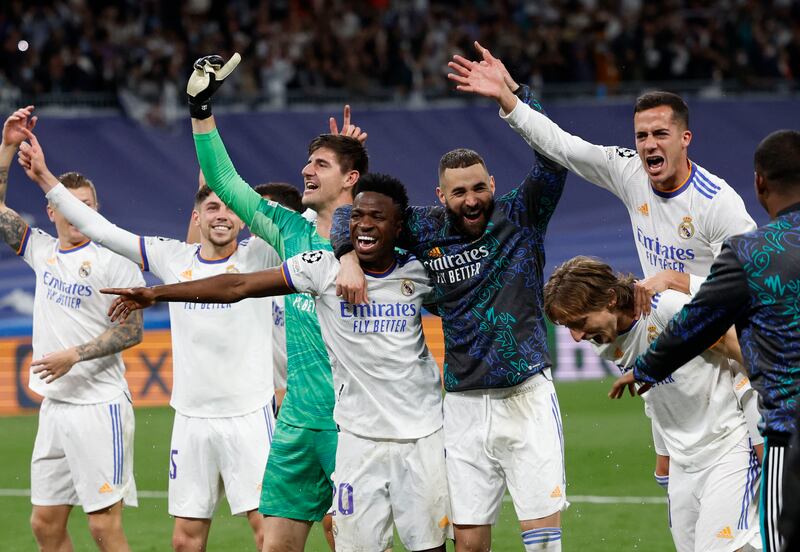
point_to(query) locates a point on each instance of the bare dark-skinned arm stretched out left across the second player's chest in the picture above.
(225, 288)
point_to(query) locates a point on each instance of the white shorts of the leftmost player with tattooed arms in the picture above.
(83, 455)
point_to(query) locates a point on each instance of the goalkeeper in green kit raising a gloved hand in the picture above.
(297, 488)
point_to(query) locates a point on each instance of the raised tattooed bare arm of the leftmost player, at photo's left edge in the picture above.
(12, 226)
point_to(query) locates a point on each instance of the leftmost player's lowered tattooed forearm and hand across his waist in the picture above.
(114, 340)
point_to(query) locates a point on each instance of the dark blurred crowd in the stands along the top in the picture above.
(317, 50)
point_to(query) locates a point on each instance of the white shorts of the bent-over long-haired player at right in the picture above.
(715, 509)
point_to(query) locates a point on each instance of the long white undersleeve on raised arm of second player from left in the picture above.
(93, 225)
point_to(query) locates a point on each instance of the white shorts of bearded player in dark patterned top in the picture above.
(498, 438)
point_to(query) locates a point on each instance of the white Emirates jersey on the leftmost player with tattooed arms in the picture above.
(69, 310)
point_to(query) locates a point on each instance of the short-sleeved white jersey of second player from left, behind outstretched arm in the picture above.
(221, 353)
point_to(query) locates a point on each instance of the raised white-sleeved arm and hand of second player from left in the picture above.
(91, 223)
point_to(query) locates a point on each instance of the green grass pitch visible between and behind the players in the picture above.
(608, 452)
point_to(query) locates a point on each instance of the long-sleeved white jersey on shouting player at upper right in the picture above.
(681, 230)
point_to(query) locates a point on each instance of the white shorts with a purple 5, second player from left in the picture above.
(209, 456)
